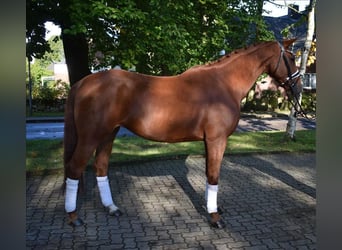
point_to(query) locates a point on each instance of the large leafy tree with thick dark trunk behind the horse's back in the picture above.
(154, 36)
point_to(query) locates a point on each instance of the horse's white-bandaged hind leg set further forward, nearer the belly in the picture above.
(102, 156)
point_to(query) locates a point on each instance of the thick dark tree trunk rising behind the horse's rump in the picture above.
(76, 56)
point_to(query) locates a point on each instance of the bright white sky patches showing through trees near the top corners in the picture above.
(53, 30)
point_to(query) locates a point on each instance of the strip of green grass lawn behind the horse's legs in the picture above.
(47, 155)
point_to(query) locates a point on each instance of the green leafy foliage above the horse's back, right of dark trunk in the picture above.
(167, 38)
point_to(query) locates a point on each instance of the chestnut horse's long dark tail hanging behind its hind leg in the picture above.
(70, 132)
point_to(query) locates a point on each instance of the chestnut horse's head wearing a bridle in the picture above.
(285, 71)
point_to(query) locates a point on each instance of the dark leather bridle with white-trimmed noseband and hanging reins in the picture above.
(291, 81)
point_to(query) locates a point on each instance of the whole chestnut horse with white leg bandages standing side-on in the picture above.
(201, 104)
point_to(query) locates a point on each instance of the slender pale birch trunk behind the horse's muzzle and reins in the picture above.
(291, 125)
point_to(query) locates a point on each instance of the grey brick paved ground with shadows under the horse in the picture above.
(268, 200)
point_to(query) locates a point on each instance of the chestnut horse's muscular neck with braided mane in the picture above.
(241, 73)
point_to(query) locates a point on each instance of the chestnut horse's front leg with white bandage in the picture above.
(214, 153)
